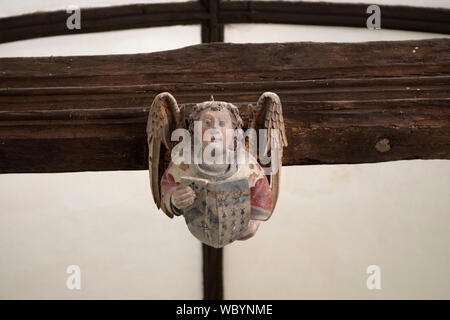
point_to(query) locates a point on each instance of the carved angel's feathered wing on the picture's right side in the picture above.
(268, 114)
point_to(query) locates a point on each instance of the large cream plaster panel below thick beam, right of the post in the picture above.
(332, 222)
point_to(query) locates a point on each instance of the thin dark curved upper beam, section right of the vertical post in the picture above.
(335, 14)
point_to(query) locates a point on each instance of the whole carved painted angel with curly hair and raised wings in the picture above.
(215, 178)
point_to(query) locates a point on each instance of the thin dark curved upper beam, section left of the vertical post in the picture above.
(44, 24)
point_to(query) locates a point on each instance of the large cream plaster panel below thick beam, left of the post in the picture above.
(104, 222)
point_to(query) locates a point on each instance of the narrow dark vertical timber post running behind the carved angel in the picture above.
(212, 31)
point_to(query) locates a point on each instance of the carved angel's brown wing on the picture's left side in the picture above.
(164, 117)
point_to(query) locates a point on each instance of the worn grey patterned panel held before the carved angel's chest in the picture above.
(220, 212)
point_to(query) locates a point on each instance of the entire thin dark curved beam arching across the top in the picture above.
(212, 19)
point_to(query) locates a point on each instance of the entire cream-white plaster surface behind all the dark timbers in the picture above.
(331, 222)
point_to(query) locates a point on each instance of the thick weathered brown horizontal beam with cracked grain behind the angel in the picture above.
(339, 101)
